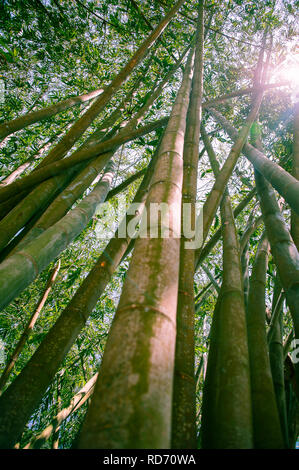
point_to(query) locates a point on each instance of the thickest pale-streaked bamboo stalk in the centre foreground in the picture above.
(131, 404)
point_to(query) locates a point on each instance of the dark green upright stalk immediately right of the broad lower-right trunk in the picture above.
(266, 424)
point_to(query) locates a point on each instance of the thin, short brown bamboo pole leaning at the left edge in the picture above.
(29, 327)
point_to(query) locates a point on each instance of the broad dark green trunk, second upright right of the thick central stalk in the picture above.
(226, 409)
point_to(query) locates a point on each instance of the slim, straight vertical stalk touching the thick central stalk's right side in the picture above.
(184, 399)
